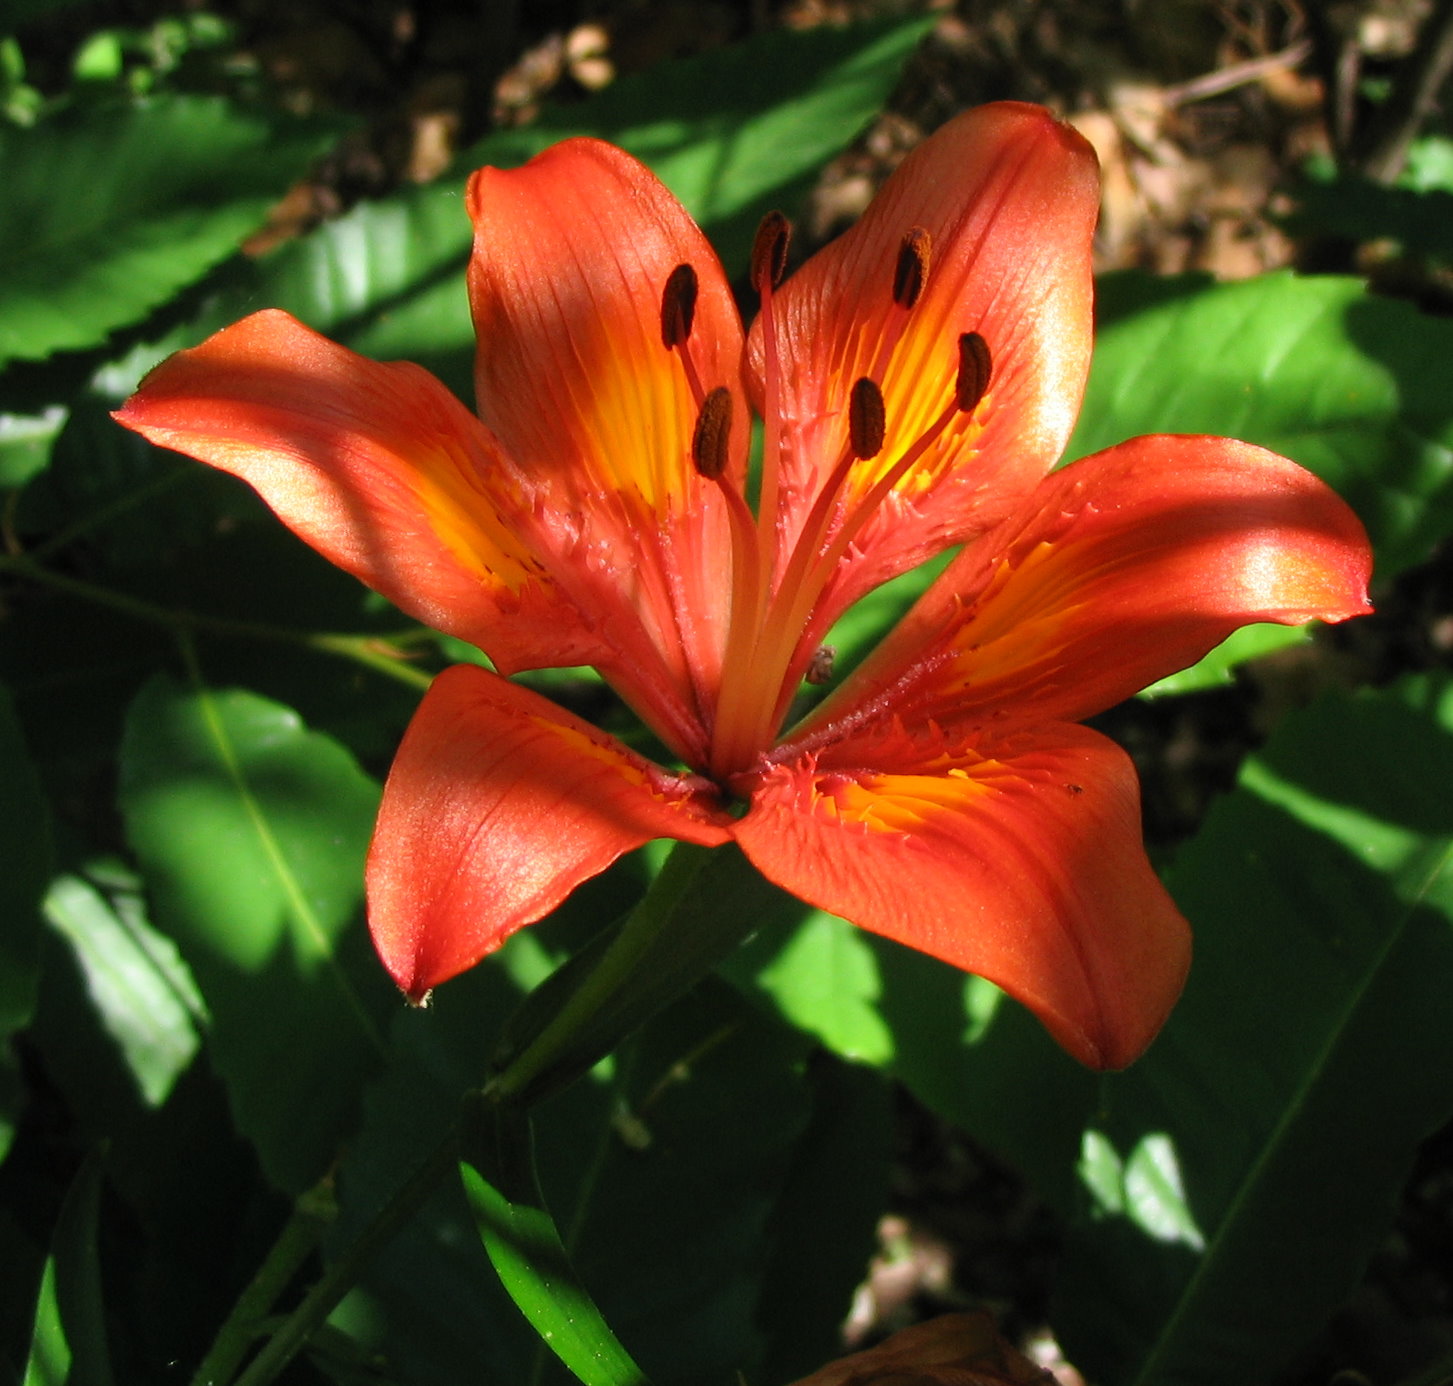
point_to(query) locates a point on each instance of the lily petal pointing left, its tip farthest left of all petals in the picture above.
(380, 469)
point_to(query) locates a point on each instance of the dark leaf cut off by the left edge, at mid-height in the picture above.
(25, 854)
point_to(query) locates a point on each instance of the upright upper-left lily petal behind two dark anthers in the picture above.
(573, 252)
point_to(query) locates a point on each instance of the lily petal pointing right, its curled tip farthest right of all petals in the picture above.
(1128, 567)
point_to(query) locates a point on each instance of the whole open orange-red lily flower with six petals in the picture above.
(918, 381)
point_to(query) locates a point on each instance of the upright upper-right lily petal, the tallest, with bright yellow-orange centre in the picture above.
(1008, 197)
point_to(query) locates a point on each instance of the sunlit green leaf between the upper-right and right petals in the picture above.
(1317, 370)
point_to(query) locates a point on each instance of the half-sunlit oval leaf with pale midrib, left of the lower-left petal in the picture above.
(252, 832)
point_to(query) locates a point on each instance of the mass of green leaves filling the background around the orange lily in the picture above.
(203, 1070)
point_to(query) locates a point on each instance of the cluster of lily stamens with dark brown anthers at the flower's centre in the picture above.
(772, 639)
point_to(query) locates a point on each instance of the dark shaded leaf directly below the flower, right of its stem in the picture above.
(672, 1180)
